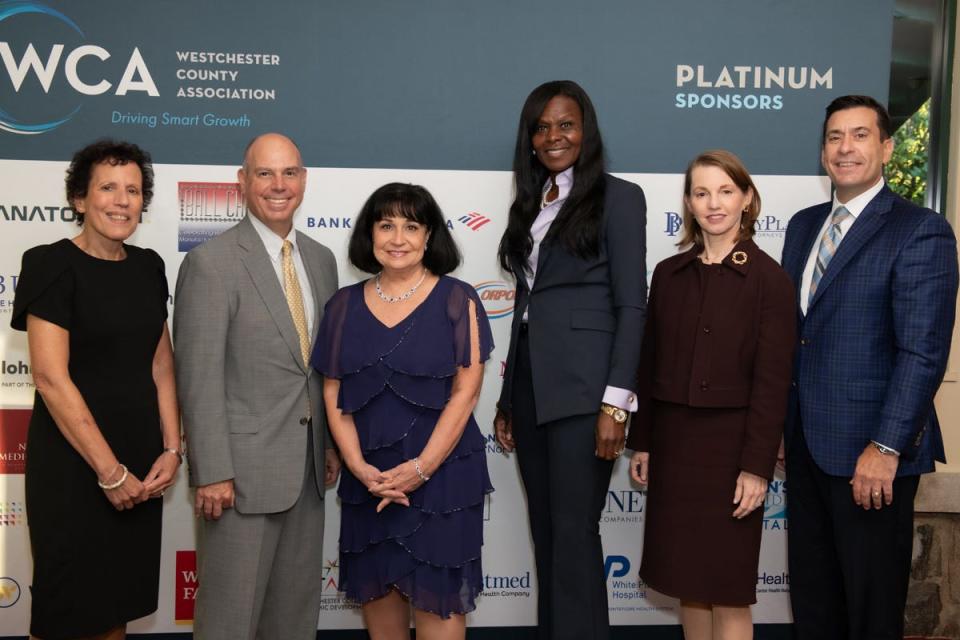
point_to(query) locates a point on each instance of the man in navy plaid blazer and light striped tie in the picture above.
(877, 282)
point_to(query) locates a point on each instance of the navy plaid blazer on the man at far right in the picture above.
(874, 343)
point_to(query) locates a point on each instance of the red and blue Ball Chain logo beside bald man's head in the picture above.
(207, 209)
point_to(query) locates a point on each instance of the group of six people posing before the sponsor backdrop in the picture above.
(732, 364)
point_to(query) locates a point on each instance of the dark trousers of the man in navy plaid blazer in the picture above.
(849, 567)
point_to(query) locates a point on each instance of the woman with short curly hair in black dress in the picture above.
(104, 438)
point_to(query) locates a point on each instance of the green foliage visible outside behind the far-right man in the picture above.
(907, 170)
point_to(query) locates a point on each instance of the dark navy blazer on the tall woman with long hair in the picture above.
(586, 315)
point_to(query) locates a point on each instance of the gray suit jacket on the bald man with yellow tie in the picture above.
(242, 387)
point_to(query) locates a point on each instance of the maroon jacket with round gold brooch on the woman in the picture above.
(734, 351)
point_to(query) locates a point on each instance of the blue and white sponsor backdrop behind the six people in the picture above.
(426, 92)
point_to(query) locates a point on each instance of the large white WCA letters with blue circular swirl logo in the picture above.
(31, 67)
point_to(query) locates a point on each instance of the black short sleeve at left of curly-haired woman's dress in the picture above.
(45, 288)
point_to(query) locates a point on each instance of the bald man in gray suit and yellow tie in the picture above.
(248, 304)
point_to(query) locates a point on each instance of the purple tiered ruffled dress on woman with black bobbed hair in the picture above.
(395, 382)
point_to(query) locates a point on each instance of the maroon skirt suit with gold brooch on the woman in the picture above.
(714, 377)
